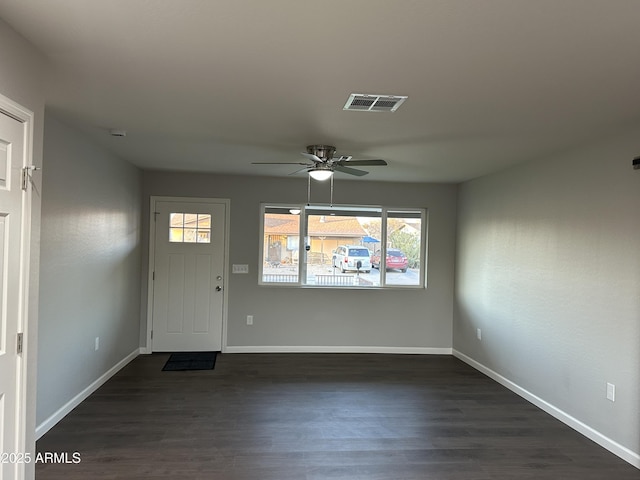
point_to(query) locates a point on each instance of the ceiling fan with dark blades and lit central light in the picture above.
(322, 163)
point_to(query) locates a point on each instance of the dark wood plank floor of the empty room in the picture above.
(318, 417)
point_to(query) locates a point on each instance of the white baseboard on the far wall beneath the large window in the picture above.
(336, 349)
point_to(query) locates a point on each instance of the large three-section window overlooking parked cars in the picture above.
(343, 246)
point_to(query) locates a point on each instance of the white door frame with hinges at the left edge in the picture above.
(25, 405)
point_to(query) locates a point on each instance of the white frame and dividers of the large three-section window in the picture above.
(307, 209)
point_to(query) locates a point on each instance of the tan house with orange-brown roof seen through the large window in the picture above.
(325, 234)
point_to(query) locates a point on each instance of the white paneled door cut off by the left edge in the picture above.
(11, 200)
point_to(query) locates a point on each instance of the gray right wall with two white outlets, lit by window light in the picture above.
(548, 266)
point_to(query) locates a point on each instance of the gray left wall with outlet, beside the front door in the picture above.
(90, 265)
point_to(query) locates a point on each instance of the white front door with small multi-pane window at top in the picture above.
(188, 278)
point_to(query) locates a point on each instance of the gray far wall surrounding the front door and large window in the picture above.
(317, 317)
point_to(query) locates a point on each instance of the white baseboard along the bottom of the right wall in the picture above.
(621, 451)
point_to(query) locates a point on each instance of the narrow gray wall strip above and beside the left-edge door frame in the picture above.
(21, 80)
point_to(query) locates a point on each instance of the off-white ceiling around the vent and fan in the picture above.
(213, 85)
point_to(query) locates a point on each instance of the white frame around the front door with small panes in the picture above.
(152, 258)
